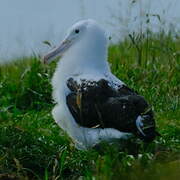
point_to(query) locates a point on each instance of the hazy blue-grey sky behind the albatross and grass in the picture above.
(25, 24)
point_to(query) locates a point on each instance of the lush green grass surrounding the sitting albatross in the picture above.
(32, 146)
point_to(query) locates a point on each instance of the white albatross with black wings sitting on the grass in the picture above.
(92, 105)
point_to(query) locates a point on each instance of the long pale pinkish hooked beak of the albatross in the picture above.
(58, 51)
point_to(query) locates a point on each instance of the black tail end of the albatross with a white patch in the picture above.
(146, 127)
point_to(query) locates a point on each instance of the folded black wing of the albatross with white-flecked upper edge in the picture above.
(95, 104)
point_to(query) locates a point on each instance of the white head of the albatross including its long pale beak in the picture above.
(85, 41)
